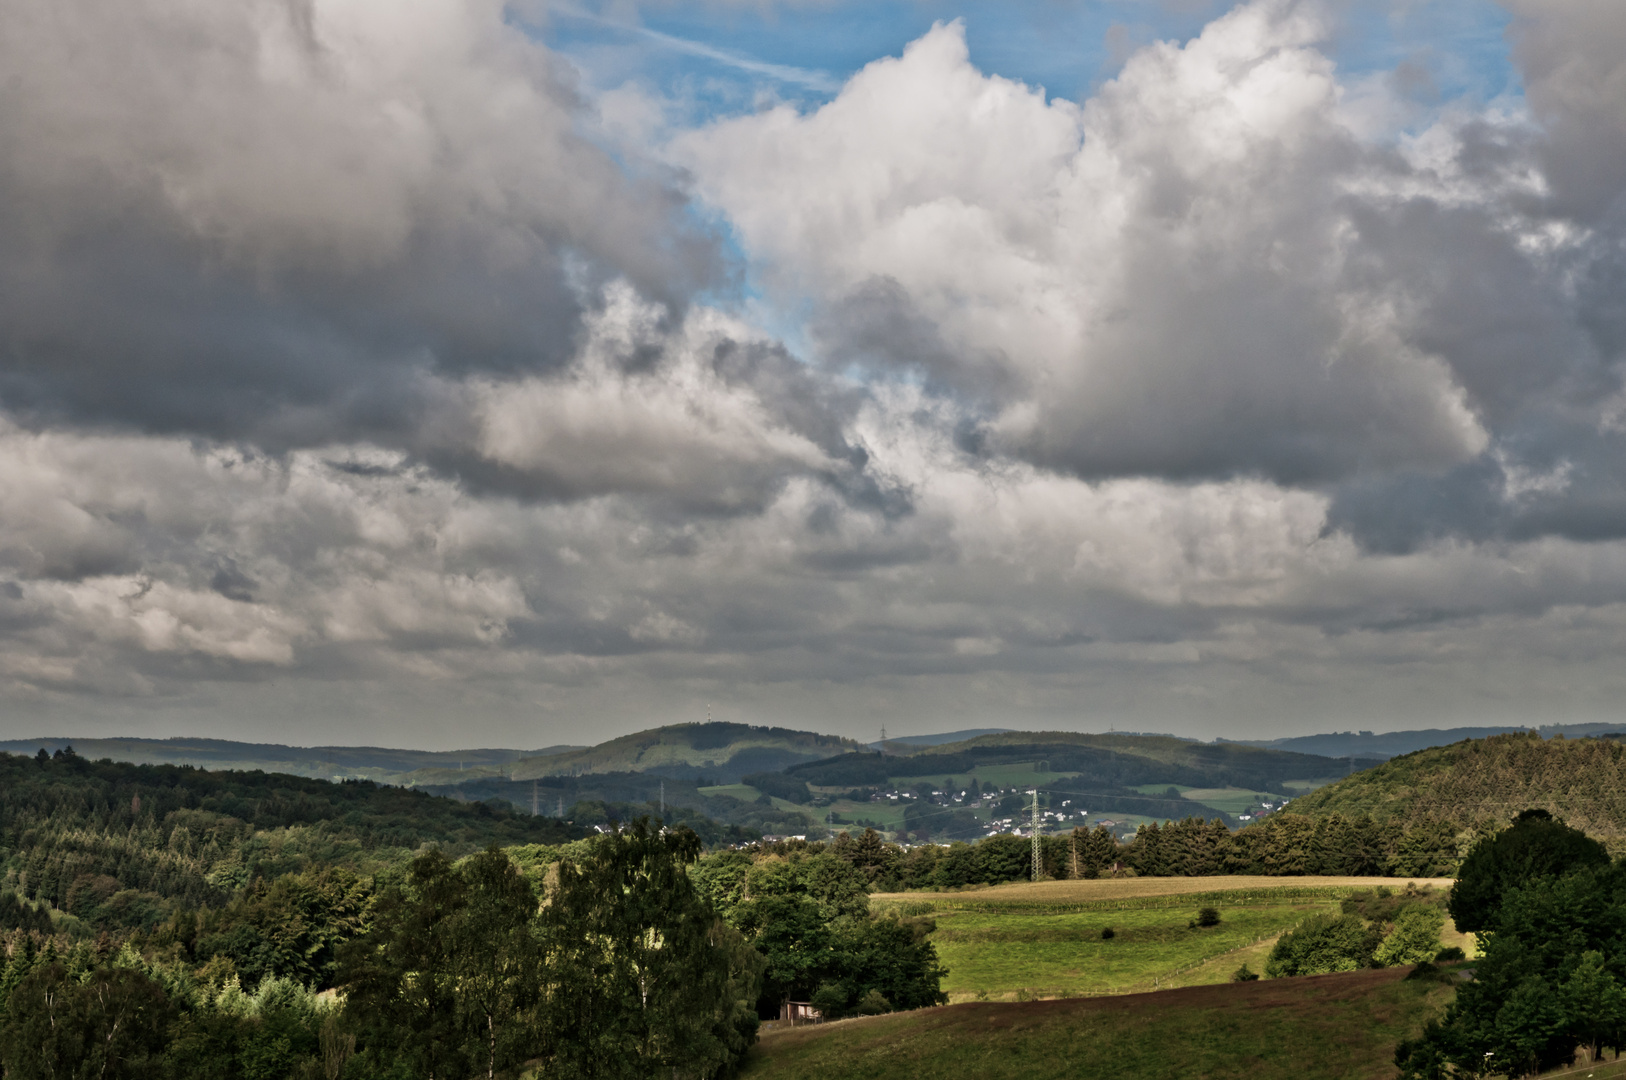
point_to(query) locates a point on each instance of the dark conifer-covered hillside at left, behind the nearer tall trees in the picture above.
(82, 834)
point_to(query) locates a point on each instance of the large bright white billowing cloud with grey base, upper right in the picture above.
(1204, 271)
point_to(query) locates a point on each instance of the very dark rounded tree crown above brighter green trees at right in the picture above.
(1536, 847)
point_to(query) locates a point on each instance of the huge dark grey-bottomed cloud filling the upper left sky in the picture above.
(263, 220)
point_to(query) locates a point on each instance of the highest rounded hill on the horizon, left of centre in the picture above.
(718, 752)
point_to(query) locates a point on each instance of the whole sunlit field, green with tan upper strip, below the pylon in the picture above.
(1045, 939)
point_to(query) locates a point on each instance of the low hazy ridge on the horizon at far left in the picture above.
(375, 764)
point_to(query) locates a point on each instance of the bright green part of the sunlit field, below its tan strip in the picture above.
(1004, 954)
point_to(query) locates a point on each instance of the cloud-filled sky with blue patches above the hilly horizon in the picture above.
(476, 373)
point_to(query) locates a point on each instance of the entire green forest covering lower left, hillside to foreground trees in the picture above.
(163, 921)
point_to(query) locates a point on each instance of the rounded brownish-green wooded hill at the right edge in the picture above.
(1490, 780)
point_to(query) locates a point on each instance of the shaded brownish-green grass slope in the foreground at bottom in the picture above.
(1339, 1027)
